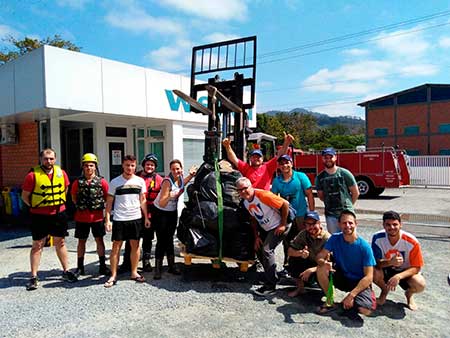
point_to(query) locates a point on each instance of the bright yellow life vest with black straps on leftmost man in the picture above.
(48, 193)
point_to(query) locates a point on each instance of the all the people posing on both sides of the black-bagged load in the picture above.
(137, 205)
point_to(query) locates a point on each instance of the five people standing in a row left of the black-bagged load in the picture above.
(139, 204)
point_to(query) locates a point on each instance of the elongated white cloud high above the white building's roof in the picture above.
(138, 21)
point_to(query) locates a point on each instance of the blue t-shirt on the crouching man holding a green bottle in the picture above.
(351, 258)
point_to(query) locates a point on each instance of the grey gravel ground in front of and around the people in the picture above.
(205, 302)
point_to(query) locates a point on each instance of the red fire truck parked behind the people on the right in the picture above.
(374, 168)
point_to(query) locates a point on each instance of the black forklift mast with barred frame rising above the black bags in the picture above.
(215, 70)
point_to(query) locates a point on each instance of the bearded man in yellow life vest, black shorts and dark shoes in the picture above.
(44, 191)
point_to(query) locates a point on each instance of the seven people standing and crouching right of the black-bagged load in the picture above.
(313, 254)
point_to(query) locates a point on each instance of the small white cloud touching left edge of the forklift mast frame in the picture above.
(172, 58)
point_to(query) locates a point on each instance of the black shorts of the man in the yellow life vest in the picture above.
(43, 225)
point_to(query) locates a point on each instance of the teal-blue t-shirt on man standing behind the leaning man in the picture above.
(293, 190)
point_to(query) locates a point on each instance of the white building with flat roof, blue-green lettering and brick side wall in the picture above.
(78, 103)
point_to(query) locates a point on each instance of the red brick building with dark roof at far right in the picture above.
(416, 119)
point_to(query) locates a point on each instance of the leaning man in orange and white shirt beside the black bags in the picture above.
(270, 212)
